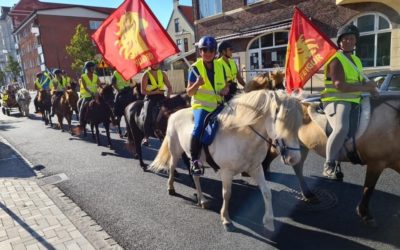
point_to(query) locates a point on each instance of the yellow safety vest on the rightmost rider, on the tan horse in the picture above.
(330, 93)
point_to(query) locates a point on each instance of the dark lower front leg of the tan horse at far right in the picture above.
(374, 171)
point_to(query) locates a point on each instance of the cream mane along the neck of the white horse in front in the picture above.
(245, 109)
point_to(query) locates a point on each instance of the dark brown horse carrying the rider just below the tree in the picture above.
(99, 111)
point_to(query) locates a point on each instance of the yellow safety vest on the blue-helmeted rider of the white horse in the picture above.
(206, 97)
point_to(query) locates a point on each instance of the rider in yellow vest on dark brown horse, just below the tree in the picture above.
(89, 83)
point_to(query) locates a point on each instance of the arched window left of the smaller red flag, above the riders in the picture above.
(268, 51)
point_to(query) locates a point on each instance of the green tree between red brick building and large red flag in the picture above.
(81, 48)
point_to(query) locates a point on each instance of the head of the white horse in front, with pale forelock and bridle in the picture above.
(286, 119)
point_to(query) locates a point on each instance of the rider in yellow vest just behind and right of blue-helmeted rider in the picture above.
(232, 73)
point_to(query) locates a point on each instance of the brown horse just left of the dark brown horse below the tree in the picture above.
(66, 104)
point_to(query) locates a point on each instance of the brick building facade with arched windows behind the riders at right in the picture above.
(258, 29)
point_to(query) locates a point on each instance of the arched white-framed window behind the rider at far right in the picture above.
(373, 47)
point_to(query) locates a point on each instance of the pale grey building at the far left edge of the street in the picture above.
(7, 43)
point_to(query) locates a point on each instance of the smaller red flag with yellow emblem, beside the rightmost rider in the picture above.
(308, 49)
